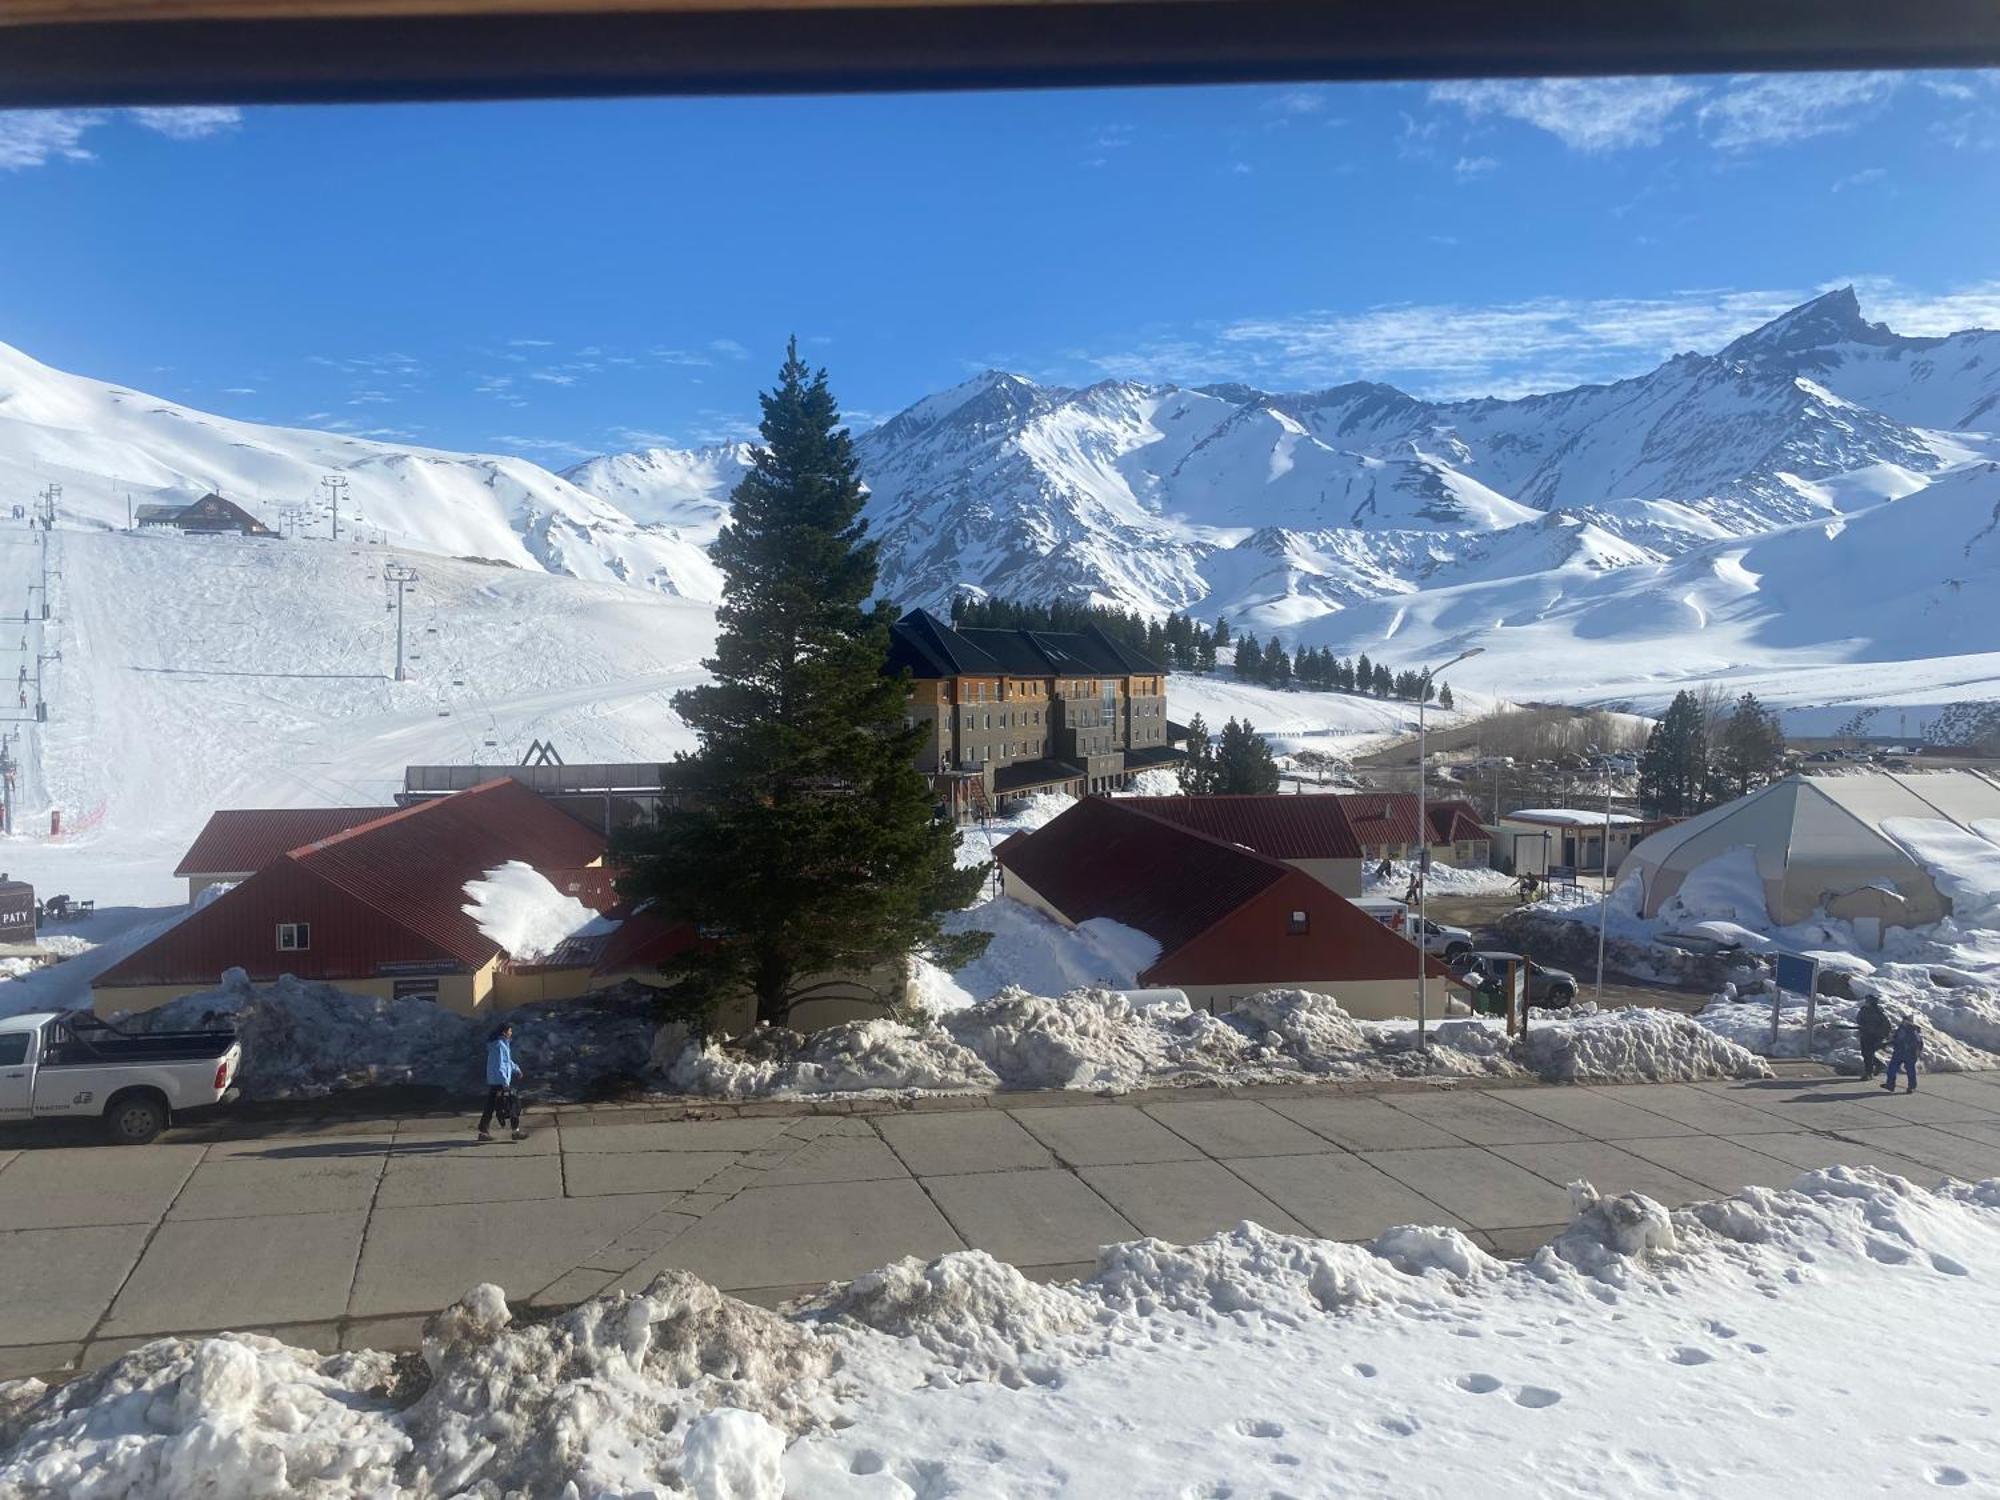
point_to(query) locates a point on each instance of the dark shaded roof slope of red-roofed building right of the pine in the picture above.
(1111, 859)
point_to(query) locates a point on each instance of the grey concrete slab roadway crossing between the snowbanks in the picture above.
(351, 1235)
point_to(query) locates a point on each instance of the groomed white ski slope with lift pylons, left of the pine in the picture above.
(205, 673)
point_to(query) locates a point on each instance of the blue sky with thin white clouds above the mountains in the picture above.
(561, 279)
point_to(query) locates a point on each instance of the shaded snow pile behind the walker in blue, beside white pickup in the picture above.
(305, 1039)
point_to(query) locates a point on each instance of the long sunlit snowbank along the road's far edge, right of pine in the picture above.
(1109, 1041)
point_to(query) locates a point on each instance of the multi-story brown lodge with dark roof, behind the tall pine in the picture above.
(1029, 711)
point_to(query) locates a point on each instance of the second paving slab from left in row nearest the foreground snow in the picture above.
(239, 1273)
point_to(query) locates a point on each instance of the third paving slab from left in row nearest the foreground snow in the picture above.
(425, 1259)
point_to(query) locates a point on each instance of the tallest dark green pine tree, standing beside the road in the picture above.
(807, 847)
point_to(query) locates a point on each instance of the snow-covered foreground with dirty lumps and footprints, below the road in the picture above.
(1827, 1335)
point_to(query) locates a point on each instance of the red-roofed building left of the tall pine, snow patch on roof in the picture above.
(377, 909)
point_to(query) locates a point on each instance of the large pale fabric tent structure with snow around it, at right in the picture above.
(1825, 843)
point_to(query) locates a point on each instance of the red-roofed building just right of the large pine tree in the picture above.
(1227, 919)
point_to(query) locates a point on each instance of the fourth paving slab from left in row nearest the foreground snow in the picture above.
(805, 1235)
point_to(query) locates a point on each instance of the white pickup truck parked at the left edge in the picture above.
(75, 1065)
